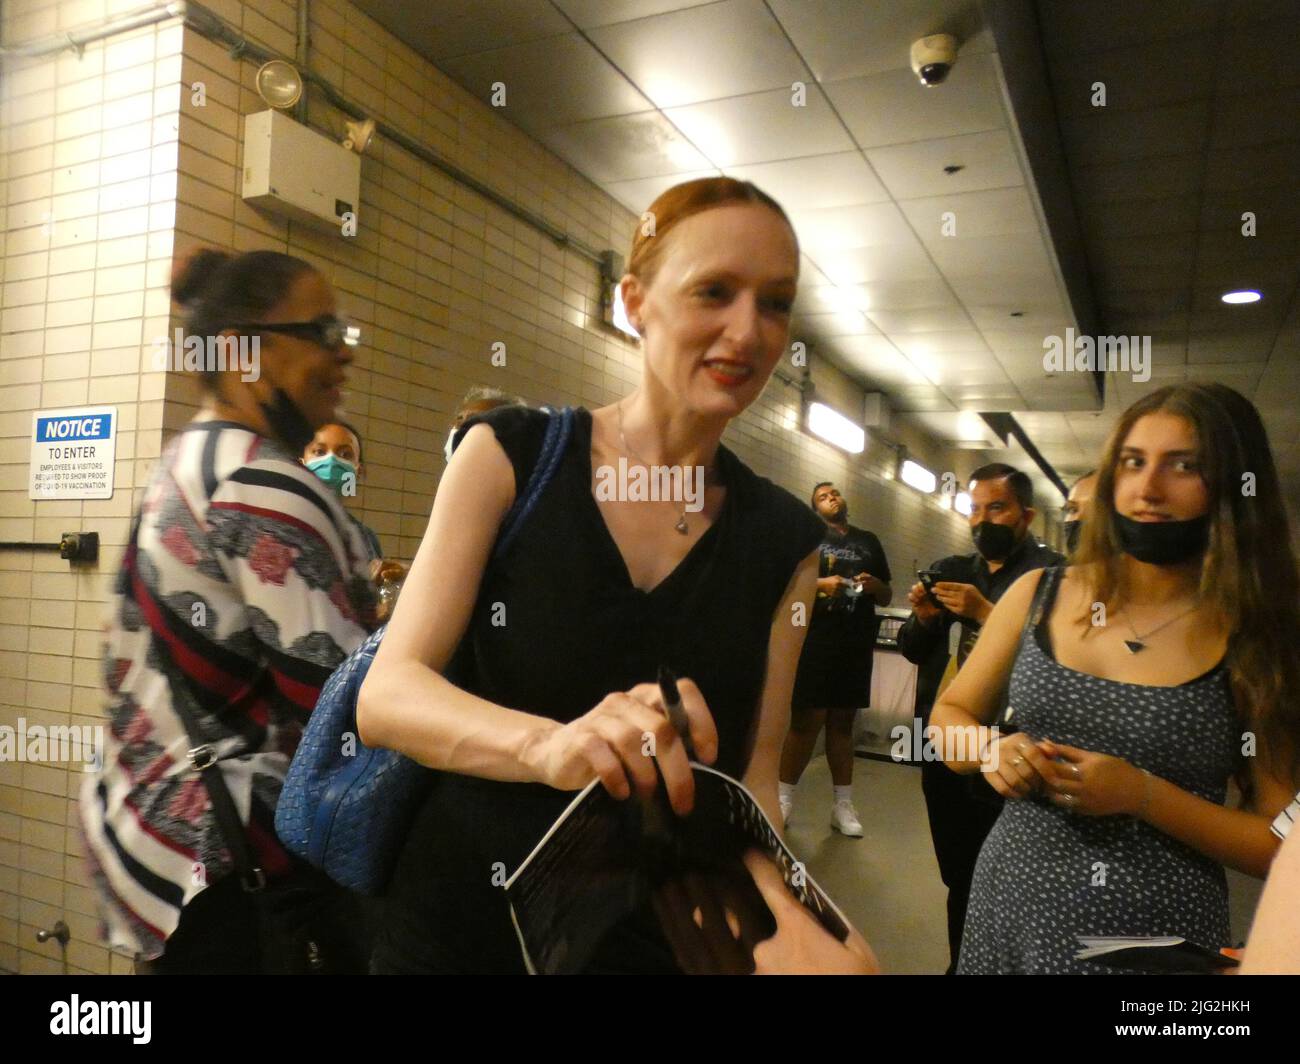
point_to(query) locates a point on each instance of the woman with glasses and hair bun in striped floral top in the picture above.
(242, 586)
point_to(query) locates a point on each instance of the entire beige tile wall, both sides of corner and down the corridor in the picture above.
(109, 165)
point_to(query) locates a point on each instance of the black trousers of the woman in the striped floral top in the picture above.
(222, 932)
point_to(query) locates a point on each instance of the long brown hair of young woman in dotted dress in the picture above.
(1249, 573)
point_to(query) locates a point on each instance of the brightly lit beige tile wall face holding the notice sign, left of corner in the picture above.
(88, 149)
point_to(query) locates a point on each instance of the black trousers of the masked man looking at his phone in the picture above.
(961, 816)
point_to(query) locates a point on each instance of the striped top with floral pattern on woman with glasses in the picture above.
(244, 587)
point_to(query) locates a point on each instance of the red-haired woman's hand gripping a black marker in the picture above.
(619, 743)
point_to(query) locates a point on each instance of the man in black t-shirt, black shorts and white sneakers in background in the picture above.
(834, 678)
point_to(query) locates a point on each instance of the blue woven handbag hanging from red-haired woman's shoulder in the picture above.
(346, 807)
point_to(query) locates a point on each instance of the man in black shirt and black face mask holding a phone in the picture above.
(964, 591)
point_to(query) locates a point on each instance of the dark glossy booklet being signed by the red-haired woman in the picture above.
(605, 860)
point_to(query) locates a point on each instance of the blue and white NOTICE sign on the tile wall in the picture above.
(72, 453)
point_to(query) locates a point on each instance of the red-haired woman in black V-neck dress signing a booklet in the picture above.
(530, 677)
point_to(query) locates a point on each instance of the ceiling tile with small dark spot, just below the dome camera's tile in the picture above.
(917, 171)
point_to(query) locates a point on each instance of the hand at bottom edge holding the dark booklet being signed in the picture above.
(801, 946)
